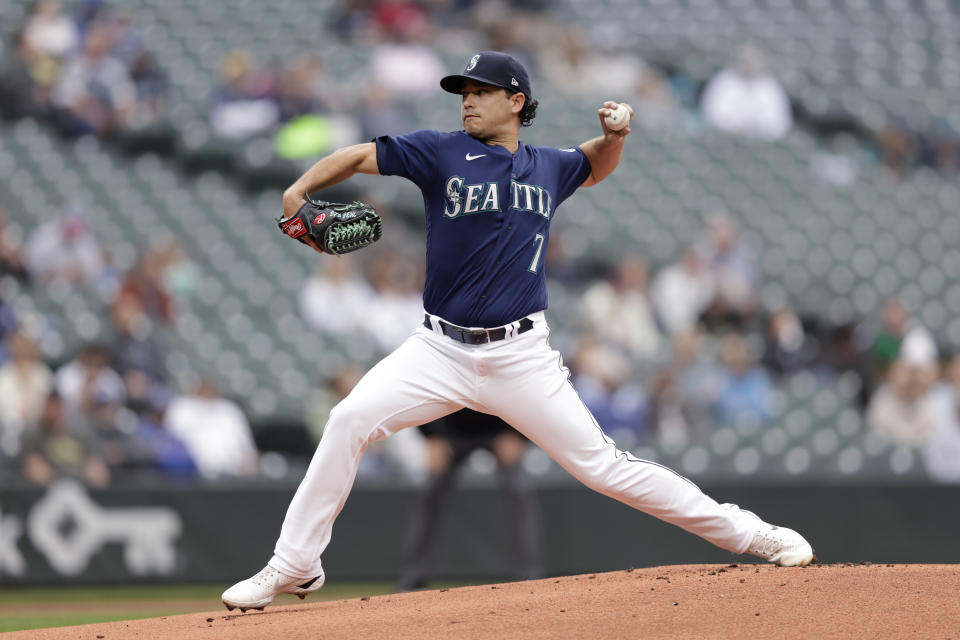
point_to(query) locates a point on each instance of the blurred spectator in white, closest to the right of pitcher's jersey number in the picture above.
(617, 309)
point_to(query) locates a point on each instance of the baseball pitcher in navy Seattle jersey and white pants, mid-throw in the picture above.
(484, 342)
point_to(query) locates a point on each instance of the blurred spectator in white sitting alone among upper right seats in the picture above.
(745, 99)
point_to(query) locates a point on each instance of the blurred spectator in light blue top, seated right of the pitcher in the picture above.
(745, 393)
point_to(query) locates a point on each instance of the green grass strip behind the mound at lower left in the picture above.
(37, 608)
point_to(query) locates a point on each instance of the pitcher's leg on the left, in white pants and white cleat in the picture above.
(419, 382)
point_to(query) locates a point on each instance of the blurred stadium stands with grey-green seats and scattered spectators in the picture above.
(766, 286)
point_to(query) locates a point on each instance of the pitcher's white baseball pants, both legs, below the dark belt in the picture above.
(522, 380)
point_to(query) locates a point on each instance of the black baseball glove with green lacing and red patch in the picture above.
(336, 227)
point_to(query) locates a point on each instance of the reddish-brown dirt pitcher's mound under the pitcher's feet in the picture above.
(690, 601)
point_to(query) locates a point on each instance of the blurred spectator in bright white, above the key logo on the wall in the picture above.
(215, 432)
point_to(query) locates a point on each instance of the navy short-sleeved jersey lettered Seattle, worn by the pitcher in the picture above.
(488, 219)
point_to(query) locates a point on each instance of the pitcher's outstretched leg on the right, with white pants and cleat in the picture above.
(529, 388)
